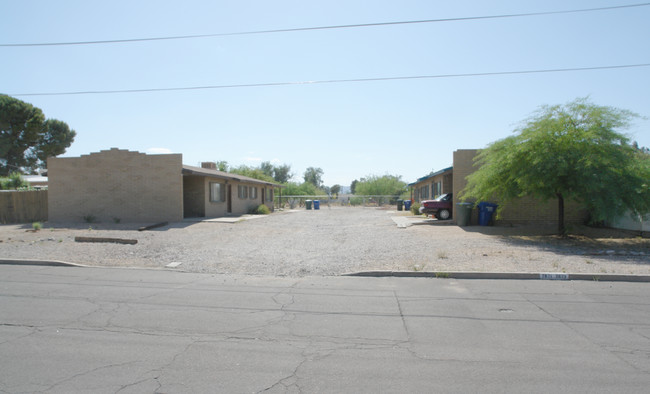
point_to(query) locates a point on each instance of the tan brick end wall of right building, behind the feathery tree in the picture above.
(525, 210)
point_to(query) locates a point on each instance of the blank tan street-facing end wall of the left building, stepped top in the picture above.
(114, 185)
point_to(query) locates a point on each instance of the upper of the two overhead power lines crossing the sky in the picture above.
(359, 25)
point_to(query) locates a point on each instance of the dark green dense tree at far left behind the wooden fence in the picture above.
(27, 139)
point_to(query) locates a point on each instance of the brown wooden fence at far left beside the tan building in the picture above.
(23, 206)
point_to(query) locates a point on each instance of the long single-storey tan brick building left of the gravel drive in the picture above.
(120, 185)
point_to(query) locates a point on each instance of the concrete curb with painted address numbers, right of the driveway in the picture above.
(504, 275)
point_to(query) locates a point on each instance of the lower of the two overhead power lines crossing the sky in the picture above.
(332, 81)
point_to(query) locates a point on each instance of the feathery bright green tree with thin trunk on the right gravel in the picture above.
(571, 151)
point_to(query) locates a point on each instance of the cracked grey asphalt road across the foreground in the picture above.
(99, 330)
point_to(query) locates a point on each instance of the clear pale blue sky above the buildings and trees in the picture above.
(350, 130)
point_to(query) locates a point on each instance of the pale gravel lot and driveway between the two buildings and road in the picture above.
(332, 242)
